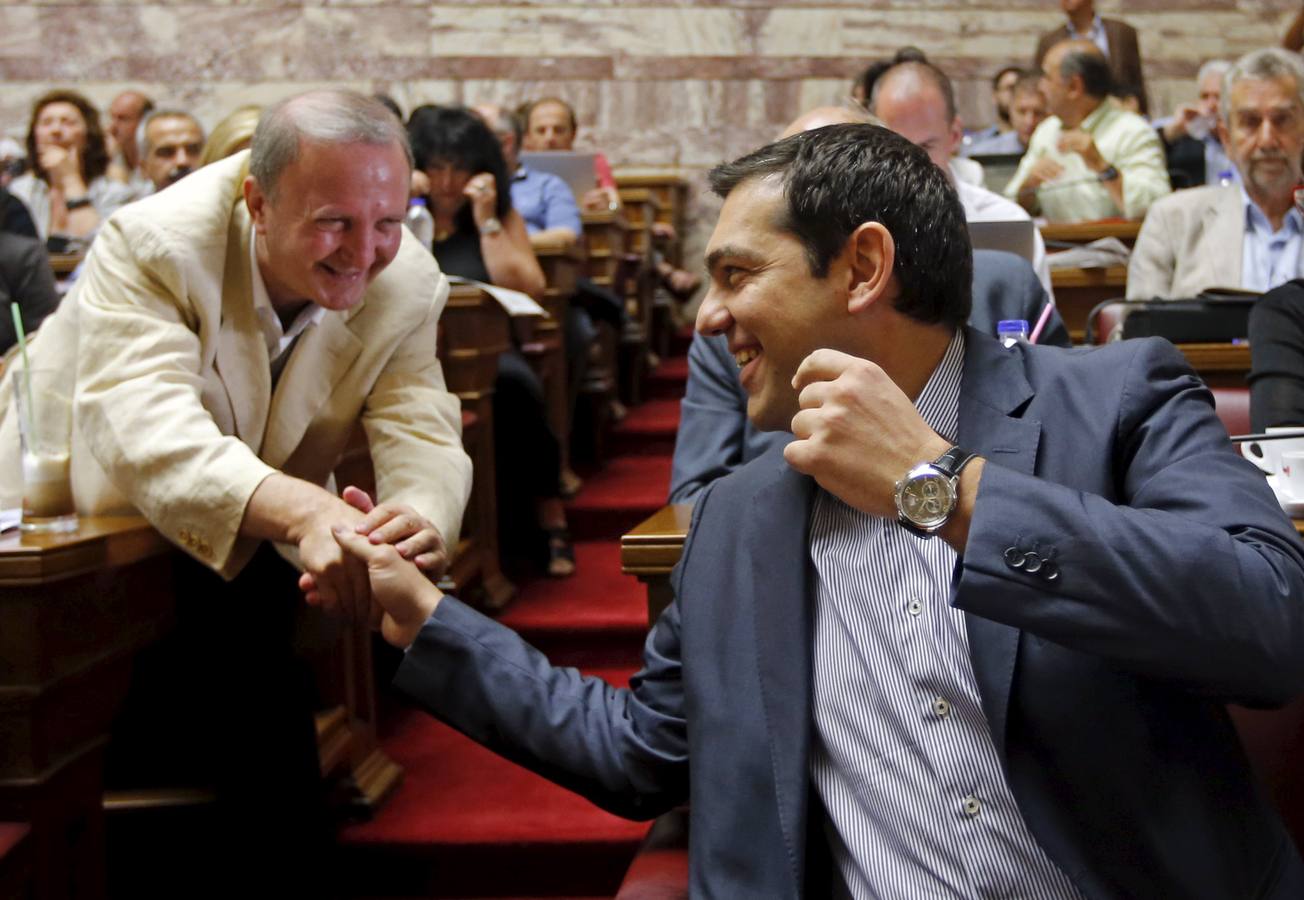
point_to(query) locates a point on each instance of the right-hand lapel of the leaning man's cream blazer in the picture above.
(316, 365)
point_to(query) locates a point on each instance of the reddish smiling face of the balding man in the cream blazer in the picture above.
(334, 224)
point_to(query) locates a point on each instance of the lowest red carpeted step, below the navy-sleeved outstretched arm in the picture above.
(467, 822)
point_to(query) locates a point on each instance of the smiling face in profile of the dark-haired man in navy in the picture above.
(765, 298)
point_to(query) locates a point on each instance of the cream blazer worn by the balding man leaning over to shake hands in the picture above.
(175, 415)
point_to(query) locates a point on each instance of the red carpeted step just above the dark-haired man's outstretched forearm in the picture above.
(595, 619)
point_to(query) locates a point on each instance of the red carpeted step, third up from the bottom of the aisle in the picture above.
(620, 496)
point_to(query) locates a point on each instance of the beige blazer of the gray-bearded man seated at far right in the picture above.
(1190, 242)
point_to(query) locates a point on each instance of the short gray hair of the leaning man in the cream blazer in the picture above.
(320, 117)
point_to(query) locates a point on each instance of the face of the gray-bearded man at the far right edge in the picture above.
(1266, 135)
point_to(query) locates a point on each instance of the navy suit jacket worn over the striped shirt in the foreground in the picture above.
(1181, 589)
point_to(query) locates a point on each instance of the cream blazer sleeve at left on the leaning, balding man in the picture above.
(139, 400)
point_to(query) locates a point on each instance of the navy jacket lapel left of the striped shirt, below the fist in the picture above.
(783, 619)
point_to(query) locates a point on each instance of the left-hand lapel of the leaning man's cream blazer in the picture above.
(242, 354)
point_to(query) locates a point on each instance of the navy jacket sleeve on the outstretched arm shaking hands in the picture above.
(624, 749)
